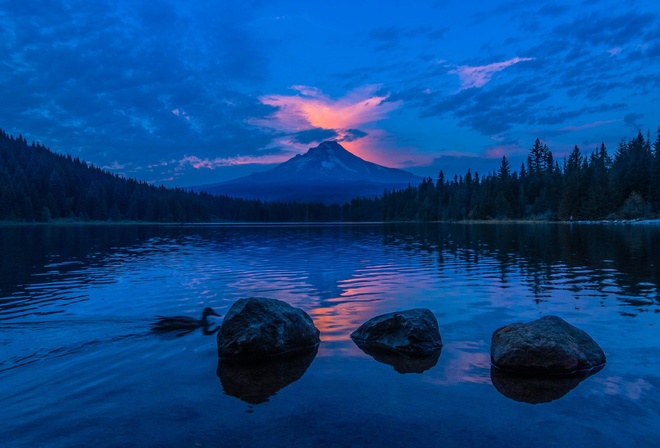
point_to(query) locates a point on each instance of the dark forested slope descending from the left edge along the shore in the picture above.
(37, 185)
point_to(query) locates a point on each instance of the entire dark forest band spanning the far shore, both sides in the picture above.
(38, 185)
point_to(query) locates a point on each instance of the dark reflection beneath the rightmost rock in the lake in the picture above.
(535, 390)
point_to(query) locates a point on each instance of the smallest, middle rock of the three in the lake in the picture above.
(411, 332)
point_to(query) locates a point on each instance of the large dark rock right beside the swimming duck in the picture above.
(258, 329)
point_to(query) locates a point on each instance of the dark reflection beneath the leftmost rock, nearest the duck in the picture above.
(255, 383)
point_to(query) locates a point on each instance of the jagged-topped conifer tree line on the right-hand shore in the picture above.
(591, 186)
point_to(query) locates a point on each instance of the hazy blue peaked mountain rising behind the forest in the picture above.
(327, 173)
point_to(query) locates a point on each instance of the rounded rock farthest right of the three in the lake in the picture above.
(549, 345)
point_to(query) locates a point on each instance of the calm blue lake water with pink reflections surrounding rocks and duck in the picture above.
(79, 366)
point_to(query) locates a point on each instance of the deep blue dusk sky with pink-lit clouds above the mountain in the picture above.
(198, 92)
